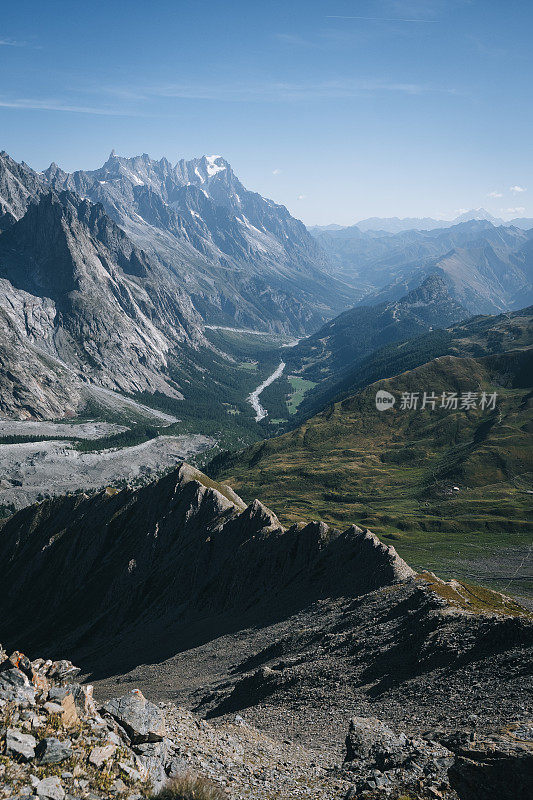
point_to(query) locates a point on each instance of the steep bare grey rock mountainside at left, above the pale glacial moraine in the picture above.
(81, 303)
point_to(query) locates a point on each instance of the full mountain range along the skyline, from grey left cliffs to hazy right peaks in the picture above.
(109, 277)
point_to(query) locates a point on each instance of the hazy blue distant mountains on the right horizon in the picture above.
(487, 269)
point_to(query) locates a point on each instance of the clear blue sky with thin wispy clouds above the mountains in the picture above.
(340, 109)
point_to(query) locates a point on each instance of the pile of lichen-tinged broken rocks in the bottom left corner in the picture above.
(56, 743)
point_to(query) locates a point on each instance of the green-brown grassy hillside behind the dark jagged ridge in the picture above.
(394, 471)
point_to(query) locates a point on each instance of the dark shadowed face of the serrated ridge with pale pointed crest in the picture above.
(180, 549)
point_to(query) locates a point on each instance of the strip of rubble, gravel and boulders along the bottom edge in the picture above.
(59, 744)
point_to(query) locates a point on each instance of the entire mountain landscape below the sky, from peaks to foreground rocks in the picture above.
(201, 496)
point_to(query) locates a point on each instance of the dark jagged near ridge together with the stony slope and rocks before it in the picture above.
(281, 635)
